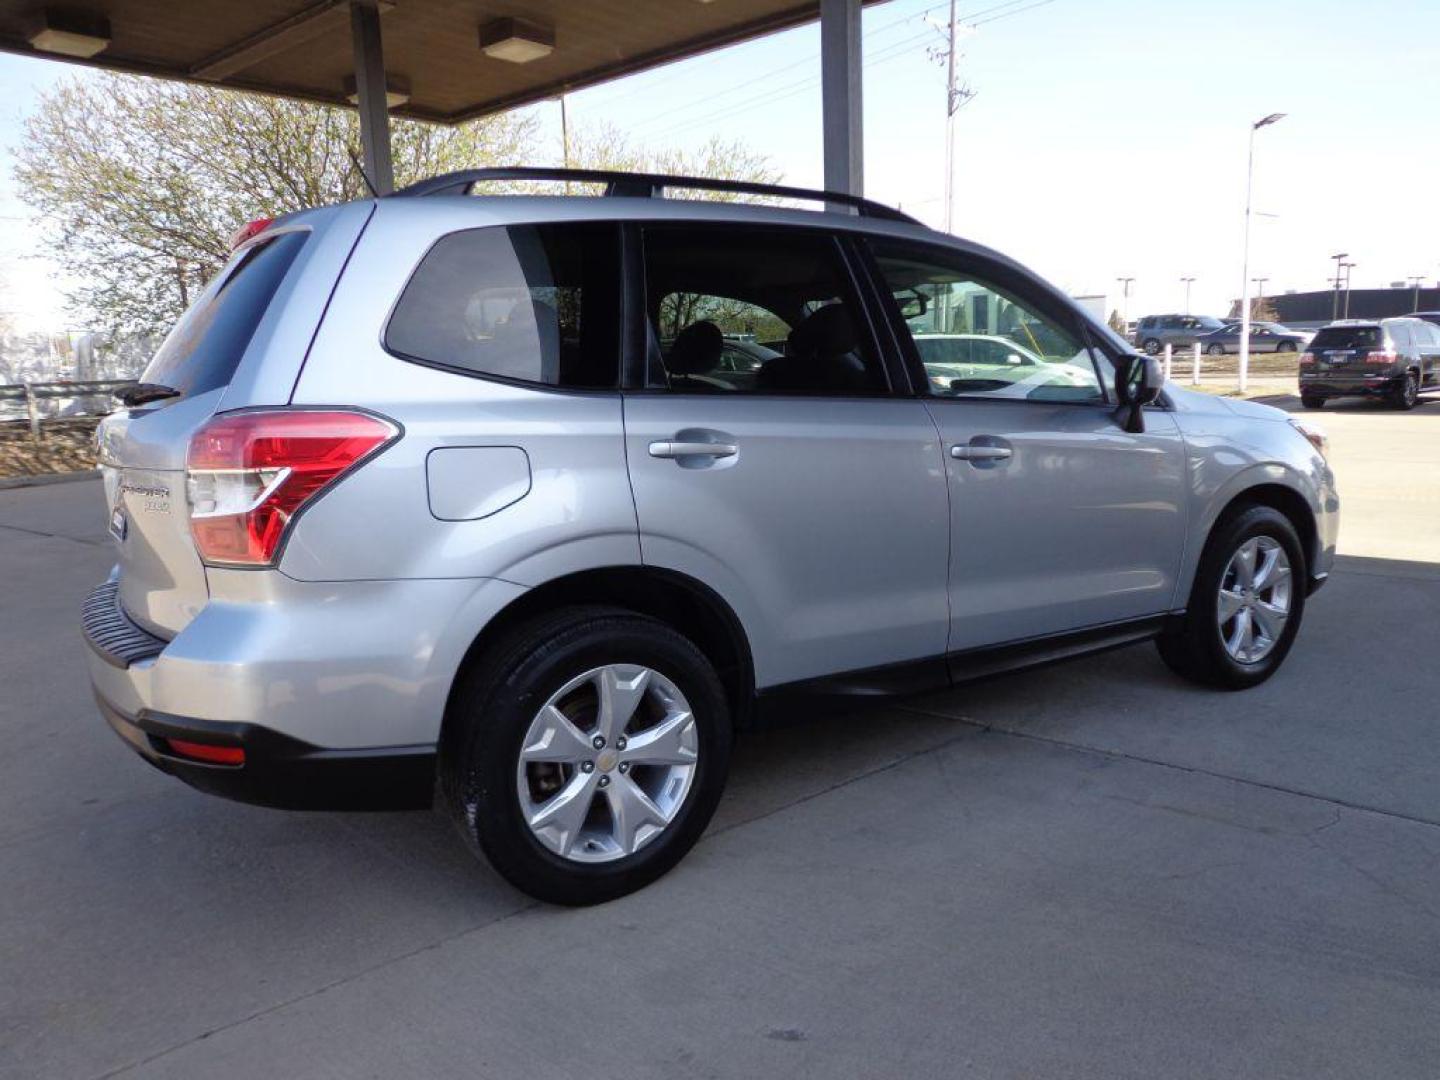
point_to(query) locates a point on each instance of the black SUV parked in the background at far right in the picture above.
(1398, 359)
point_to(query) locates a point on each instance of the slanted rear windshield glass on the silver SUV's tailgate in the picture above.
(207, 345)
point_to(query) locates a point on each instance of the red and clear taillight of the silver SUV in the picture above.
(250, 474)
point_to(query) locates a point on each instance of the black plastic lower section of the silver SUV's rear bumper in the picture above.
(280, 771)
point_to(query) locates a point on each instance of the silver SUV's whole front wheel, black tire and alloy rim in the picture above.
(1246, 606)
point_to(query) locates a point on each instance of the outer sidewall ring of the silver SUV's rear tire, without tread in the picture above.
(490, 758)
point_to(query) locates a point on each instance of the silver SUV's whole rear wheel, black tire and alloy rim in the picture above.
(587, 754)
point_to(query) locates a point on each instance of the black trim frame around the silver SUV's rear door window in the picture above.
(637, 316)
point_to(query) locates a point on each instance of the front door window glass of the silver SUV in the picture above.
(977, 339)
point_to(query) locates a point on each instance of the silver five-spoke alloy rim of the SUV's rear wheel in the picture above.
(607, 764)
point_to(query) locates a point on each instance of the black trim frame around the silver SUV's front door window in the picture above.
(1019, 284)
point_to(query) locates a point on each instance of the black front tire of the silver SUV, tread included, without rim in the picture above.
(1193, 647)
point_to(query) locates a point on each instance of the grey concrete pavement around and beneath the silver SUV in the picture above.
(1094, 870)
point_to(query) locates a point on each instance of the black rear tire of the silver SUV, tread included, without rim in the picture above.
(492, 711)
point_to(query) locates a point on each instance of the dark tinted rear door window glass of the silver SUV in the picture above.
(780, 296)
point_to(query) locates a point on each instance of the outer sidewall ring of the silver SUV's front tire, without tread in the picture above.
(1241, 529)
